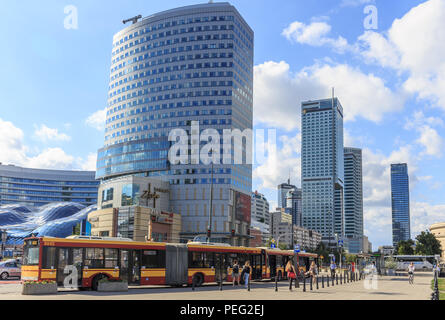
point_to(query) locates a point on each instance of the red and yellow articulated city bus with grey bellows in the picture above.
(145, 263)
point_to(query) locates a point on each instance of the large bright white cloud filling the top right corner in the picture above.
(415, 45)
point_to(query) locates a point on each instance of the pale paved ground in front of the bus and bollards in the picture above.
(389, 288)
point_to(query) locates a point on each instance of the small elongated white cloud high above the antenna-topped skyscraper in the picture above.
(314, 34)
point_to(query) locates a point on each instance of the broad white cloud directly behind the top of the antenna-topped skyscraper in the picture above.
(278, 93)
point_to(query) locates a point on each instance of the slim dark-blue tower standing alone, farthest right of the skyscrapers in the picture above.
(401, 230)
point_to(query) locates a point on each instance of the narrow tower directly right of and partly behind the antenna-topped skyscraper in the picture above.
(354, 199)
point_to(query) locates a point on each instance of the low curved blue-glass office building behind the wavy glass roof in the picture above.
(38, 187)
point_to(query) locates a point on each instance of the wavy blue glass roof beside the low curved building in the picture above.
(52, 220)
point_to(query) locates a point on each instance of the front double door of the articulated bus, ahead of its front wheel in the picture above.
(73, 259)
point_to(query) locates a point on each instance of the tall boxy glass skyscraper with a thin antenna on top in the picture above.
(323, 167)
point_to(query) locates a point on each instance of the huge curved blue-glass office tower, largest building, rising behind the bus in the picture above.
(189, 64)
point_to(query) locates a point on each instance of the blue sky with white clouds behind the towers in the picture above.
(390, 81)
